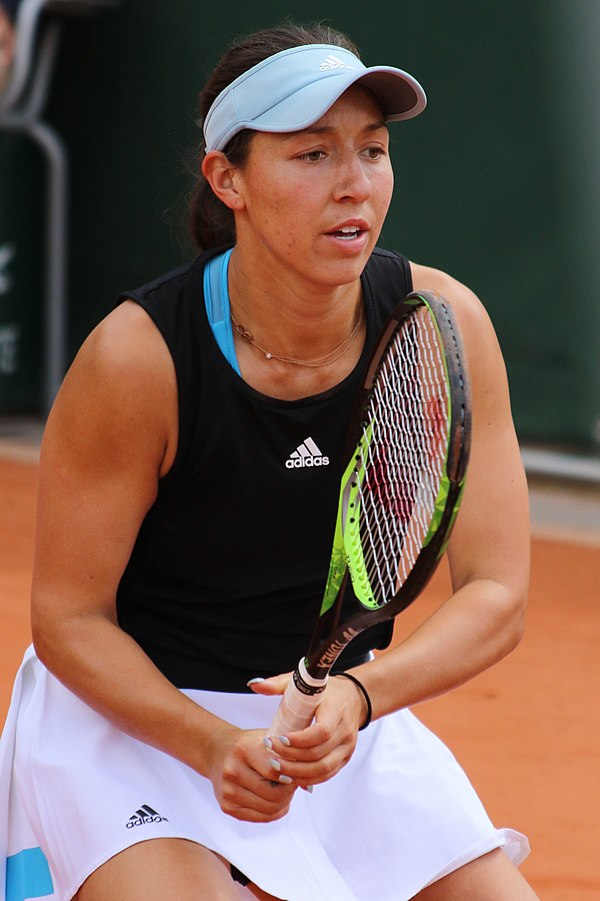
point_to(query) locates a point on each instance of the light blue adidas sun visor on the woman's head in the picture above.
(292, 89)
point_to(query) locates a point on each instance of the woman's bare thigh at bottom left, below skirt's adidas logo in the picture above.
(161, 868)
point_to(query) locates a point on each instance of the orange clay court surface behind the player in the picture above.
(527, 732)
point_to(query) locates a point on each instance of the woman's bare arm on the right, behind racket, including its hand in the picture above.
(489, 561)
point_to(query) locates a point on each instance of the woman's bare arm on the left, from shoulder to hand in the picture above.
(110, 437)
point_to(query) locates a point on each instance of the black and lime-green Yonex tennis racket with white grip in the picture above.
(400, 492)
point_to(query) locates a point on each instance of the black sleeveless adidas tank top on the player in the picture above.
(226, 577)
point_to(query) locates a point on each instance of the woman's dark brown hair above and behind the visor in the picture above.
(211, 222)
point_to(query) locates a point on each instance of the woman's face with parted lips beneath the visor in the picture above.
(312, 203)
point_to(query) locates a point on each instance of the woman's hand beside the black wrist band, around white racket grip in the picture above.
(318, 752)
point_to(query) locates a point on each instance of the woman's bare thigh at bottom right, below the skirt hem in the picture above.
(491, 877)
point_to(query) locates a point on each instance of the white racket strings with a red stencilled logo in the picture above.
(402, 460)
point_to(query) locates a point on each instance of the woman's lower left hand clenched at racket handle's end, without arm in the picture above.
(244, 782)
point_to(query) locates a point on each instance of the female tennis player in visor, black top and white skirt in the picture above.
(187, 498)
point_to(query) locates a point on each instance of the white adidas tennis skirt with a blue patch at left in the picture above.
(74, 791)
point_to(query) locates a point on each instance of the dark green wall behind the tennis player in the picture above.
(498, 182)
